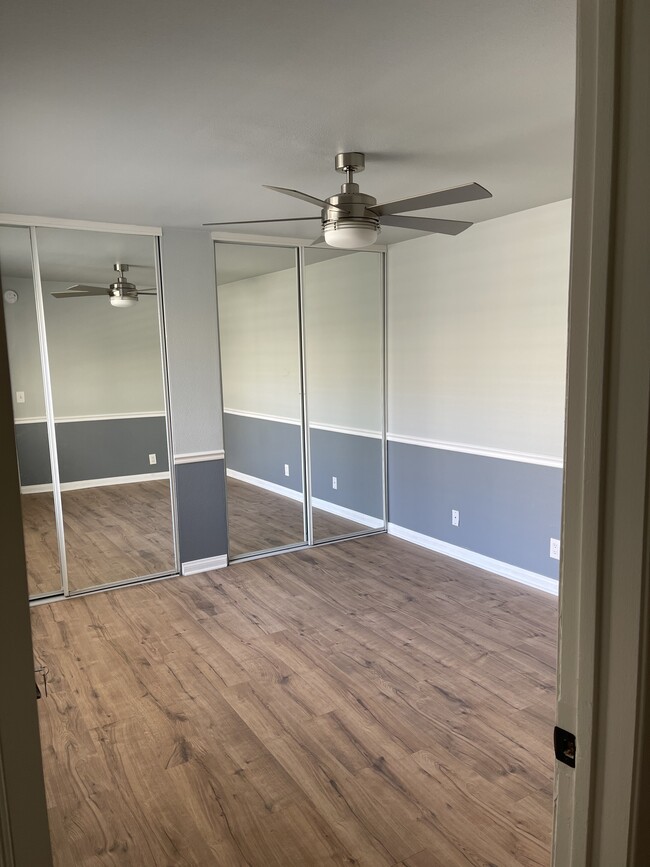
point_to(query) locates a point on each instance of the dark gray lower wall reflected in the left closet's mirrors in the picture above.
(94, 449)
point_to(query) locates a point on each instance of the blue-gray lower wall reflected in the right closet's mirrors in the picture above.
(261, 447)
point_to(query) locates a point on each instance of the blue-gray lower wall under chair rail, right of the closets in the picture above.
(509, 510)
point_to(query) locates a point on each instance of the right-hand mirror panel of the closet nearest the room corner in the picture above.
(343, 301)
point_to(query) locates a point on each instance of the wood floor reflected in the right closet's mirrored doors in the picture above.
(259, 520)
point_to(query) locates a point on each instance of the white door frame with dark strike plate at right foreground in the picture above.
(604, 583)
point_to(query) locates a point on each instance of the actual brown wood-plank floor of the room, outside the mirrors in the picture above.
(368, 703)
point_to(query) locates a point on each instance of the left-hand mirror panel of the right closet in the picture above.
(259, 336)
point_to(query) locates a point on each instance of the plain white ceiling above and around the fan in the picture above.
(175, 113)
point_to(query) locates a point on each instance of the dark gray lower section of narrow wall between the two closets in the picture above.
(201, 500)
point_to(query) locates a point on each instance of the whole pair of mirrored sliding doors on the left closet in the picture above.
(86, 354)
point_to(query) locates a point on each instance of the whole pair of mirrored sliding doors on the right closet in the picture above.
(301, 335)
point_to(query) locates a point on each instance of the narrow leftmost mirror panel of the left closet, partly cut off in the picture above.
(32, 445)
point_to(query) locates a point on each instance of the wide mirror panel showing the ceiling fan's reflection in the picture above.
(107, 384)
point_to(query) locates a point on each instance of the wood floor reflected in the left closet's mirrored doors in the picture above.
(112, 533)
